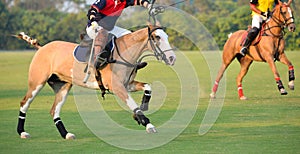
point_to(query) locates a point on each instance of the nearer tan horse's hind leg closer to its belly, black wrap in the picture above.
(61, 90)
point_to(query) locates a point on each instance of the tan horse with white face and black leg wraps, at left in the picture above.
(54, 63)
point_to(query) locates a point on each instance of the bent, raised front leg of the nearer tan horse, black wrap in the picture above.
(138, 86)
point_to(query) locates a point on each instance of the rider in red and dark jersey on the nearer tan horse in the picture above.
(102, 17)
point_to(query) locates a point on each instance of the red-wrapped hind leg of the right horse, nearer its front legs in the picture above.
(245, 64)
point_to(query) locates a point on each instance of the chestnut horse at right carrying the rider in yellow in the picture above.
(270, 47)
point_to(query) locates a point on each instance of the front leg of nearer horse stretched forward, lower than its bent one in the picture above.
(138, 115)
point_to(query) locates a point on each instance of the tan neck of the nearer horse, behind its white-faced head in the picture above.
(132, 45)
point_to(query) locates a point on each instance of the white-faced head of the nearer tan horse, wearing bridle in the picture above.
(158, 40)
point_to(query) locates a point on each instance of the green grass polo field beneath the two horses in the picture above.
(266, 123)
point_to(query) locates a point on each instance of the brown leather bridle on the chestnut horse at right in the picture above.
(280, 23)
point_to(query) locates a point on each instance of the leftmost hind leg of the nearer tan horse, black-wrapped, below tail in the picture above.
(33, 89)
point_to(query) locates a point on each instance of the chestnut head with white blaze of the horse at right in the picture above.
(285, 15)
